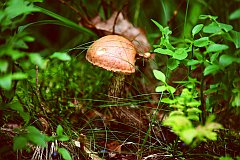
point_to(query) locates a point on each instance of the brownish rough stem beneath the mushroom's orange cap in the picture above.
(116, 88)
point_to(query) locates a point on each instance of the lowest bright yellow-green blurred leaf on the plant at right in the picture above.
(188, 135)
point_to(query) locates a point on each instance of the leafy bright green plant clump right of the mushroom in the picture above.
(191, 117)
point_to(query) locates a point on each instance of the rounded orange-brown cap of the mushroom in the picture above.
(114, 53)
